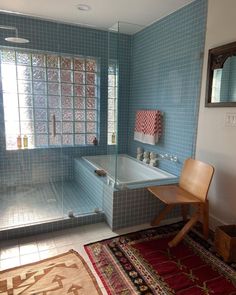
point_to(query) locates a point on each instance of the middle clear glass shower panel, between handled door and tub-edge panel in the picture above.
(82, 65)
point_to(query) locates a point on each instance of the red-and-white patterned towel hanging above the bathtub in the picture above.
(148, 126)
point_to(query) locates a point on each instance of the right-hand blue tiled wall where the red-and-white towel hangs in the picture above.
(166, 74)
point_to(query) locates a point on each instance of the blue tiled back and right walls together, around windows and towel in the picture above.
(165, 72)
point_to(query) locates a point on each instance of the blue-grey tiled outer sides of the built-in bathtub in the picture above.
(122, 208)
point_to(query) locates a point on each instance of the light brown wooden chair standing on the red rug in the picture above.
(193, 187)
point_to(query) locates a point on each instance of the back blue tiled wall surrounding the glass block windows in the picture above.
(20, 167)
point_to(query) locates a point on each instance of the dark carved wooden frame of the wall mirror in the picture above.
(216, 59)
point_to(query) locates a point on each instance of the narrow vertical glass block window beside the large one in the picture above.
(112, 102)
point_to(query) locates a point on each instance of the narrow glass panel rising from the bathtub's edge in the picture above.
(119, 67)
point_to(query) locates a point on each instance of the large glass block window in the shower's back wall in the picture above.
(49, 99)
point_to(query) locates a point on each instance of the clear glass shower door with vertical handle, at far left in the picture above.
(31, 166)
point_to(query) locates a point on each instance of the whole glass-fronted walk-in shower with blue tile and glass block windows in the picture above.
(64, 95)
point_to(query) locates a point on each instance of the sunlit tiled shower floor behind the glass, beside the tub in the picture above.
(23, 205)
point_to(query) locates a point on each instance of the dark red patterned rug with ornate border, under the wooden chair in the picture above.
(142, 263)
